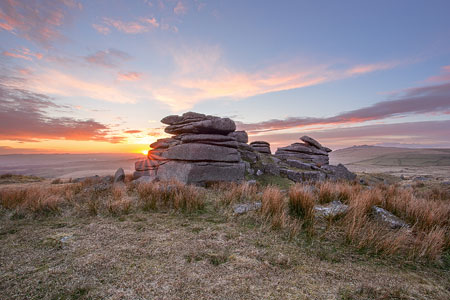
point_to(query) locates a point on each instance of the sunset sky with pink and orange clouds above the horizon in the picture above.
(98, 76)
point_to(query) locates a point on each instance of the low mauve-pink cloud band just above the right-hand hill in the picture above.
(427, 134)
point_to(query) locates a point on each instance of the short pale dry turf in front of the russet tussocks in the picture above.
(210, 254)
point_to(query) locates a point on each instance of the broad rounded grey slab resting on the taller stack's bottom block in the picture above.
(201, 152)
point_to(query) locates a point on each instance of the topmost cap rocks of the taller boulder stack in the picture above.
(198, 123)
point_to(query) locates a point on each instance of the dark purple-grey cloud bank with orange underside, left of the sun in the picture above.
(24, 117)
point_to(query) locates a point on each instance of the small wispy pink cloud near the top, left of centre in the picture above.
(141, 25)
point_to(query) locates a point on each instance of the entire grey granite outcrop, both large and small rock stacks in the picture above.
(205, 149)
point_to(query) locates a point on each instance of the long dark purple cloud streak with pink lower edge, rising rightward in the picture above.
(422, 100)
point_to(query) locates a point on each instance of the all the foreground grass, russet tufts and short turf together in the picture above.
(95, 240)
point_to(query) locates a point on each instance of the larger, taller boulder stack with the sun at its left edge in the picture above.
(203, 149)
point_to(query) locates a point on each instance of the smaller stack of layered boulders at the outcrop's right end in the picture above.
(310, 152)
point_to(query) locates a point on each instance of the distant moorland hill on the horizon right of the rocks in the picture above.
(391, 156)
